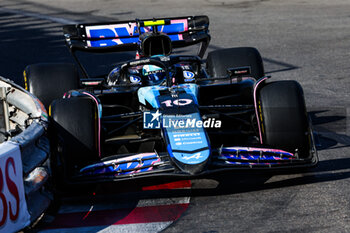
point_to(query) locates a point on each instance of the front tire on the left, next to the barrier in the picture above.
(74, 134)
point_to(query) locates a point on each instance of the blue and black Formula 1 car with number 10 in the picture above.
(167, 114)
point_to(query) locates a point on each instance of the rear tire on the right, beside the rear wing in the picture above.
(219, 61)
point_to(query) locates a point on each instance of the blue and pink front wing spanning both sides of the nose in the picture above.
(226, 158)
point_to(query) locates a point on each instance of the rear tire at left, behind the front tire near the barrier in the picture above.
(49, 81)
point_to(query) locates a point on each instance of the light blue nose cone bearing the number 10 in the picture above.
(188, 145)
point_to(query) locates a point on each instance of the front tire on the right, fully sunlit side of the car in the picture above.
(283, 117)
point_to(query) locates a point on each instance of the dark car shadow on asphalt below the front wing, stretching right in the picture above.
(233, 183)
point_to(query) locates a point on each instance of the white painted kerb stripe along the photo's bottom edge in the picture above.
(138, 227)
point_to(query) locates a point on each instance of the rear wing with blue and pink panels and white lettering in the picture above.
(124, 35)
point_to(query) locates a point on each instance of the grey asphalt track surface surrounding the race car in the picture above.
(308, 41)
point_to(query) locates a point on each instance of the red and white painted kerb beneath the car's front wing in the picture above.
(121, 212)
